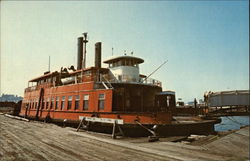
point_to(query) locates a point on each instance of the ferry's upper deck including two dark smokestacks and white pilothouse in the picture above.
(121, 69)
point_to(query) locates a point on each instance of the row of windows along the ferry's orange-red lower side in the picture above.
(54, 103)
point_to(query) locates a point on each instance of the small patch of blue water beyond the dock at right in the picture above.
(232, 123)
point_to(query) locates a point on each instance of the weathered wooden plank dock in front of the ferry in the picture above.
(34, 140)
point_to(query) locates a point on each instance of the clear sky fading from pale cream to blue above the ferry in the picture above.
(206, 43)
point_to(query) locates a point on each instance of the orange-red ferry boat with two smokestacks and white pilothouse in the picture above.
(118, 92)
